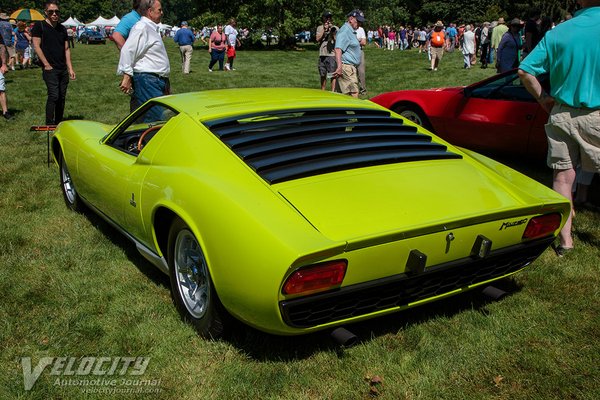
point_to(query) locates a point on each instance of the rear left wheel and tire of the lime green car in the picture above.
(192, 288)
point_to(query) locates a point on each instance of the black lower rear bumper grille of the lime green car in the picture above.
(400, 291)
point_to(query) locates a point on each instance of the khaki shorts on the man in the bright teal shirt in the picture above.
(573, 138)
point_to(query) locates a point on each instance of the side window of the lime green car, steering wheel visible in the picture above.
(139, 128)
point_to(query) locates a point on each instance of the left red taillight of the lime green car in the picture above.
(316, 278)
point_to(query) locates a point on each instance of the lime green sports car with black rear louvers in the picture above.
(296, 210)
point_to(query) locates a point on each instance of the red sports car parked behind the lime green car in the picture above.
(496, 115)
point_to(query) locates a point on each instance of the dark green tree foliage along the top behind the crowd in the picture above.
(287, 17)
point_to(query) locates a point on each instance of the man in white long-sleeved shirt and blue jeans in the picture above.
(144, 58)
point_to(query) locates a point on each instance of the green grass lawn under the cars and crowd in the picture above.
(70, 286)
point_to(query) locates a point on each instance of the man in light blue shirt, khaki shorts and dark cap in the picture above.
(347, 54)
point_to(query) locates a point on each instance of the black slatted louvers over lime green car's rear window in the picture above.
(286, 145)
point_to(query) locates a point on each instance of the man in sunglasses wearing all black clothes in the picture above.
(51, 44)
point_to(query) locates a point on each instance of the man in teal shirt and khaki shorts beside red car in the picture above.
(570, 54)
